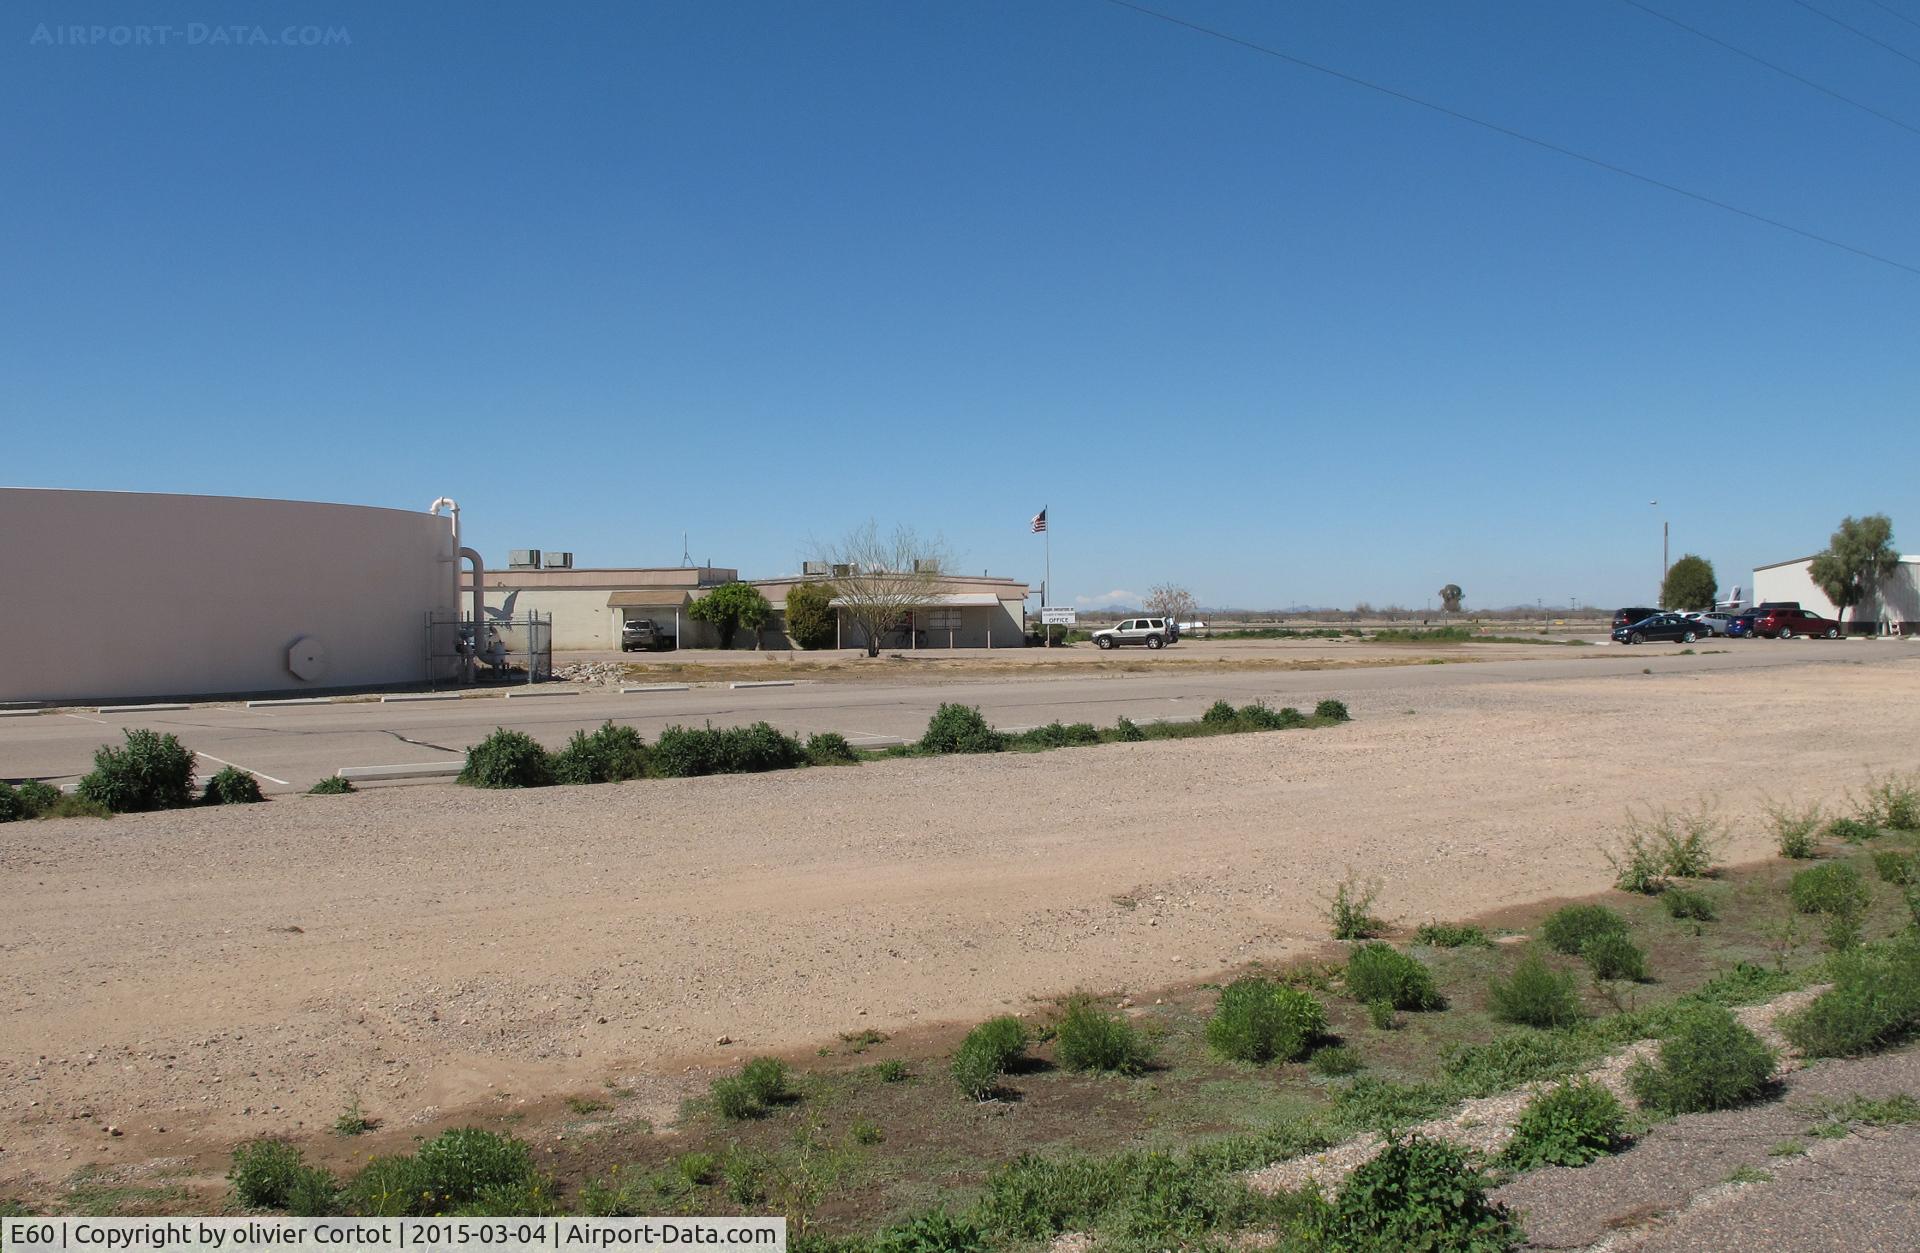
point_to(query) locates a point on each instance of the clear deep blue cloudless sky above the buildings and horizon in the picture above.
(765, 272)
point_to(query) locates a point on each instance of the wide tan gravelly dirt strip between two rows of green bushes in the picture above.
(191, 980)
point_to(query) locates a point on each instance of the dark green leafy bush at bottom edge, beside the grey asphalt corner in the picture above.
(1420, 1194)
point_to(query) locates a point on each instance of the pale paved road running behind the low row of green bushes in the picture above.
(289, 747)
